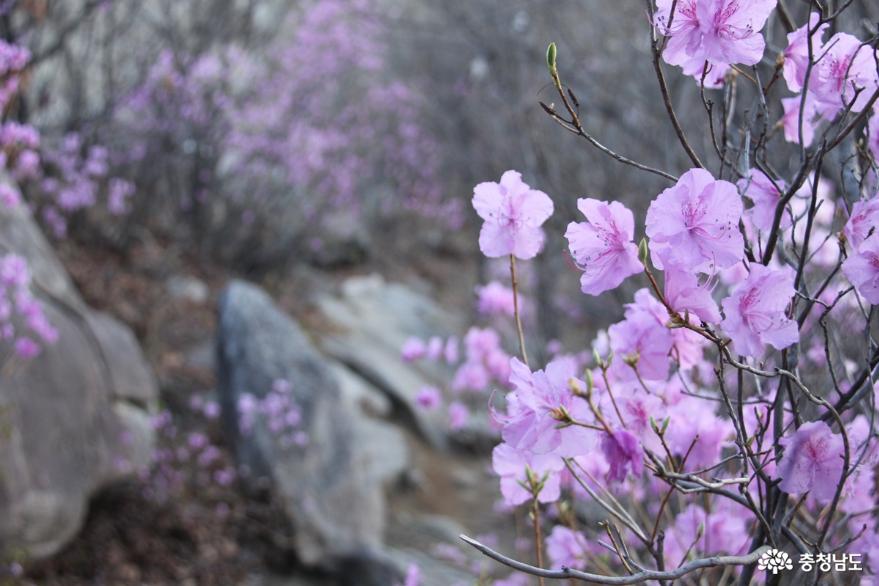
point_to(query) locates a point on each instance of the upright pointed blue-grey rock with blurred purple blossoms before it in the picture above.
(331, 488)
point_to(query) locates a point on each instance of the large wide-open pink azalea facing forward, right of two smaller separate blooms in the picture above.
(696, 222)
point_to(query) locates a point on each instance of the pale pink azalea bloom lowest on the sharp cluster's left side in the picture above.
(512, 467)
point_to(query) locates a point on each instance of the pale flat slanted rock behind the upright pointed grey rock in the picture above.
(373, 320)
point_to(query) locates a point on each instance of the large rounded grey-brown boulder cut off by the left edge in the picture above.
(74, 419)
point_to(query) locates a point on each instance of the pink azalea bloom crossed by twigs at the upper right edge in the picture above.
(845, 66)
